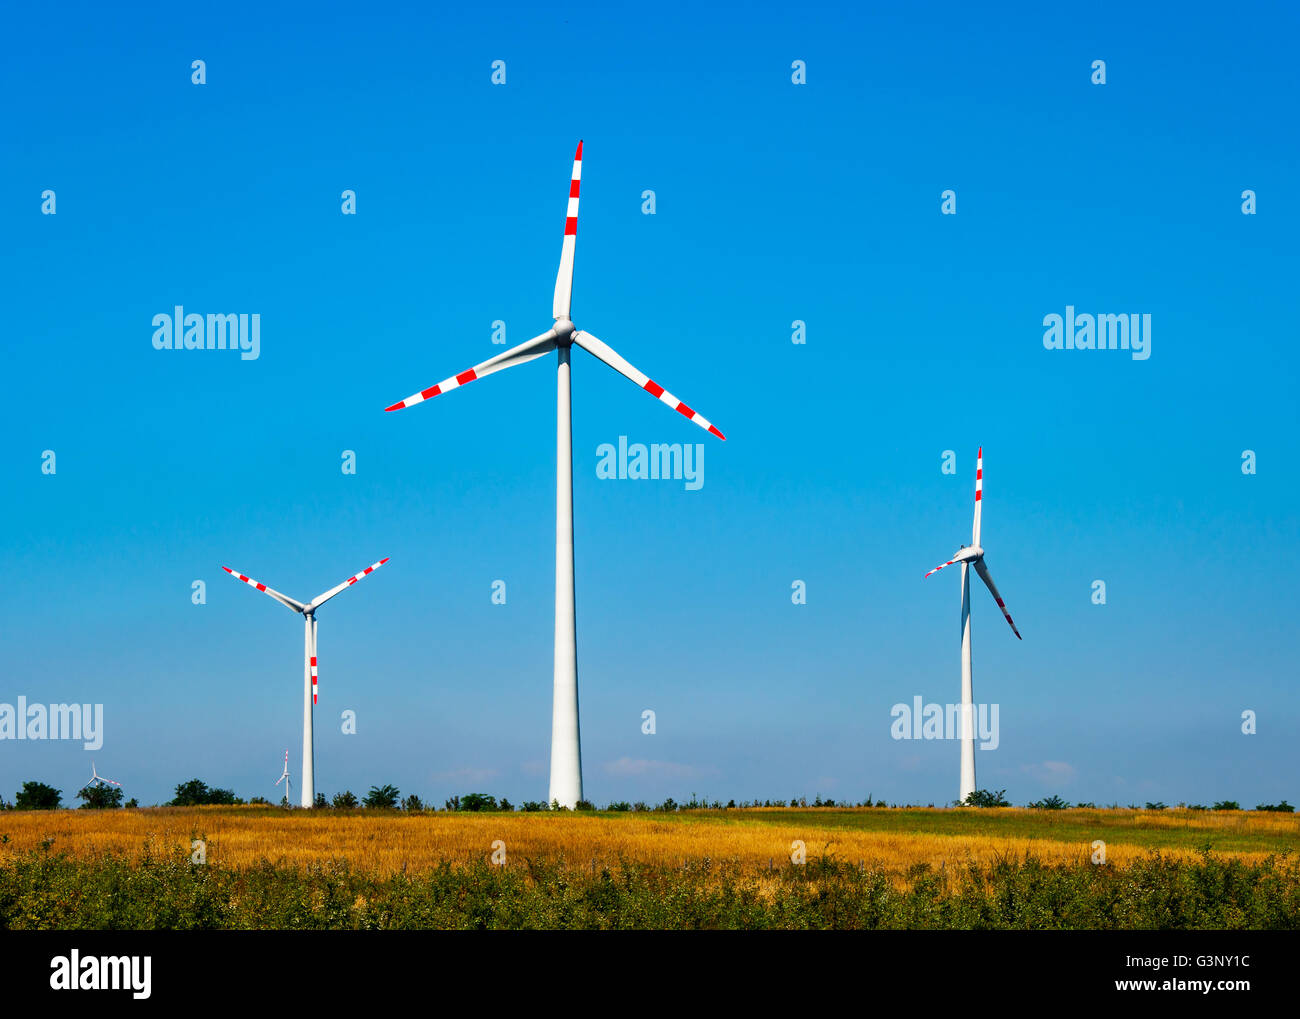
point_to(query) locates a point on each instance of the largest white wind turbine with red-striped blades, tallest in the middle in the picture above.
(566, 752)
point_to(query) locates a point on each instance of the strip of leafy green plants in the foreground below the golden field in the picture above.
(42, 890)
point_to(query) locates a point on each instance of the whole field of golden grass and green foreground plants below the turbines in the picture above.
(861, 868)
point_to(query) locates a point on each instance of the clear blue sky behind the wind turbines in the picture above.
(774, 203)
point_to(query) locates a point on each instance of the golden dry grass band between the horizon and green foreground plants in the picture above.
(889, 840)
